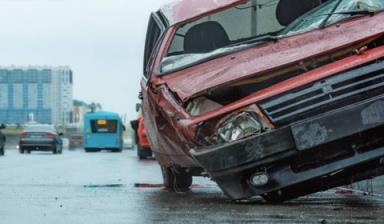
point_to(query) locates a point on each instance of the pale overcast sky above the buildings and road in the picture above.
(101, 40)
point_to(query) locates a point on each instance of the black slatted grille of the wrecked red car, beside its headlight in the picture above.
(327, 94)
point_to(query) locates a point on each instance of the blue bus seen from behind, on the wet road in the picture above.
(103, 130)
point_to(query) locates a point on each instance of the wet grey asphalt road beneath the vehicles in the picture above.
(77, 187)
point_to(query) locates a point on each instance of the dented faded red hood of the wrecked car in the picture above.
(195, 80)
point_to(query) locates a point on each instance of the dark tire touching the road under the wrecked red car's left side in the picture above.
(176, 179)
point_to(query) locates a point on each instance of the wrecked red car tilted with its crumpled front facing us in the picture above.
(277, 99)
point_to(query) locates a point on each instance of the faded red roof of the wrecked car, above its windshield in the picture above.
(181, 11)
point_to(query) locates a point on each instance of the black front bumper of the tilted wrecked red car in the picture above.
(335, 148)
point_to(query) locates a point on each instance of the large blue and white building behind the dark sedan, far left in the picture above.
(42, 93)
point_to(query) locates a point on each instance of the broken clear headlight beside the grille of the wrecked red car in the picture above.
(238, 127)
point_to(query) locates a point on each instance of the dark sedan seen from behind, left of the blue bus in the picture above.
(40, 138)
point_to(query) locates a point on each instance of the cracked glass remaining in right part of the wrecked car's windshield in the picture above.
(315, 18)
